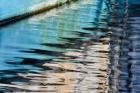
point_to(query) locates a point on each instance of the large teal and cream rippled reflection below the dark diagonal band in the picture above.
(66, 52)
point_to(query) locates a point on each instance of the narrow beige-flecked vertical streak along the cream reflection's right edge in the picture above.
(114, 53)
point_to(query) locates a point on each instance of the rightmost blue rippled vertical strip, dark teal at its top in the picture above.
(134, 37)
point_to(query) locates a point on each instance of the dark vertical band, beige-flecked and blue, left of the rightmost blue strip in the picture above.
(119, 48)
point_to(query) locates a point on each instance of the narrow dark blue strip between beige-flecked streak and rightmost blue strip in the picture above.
(124, 63)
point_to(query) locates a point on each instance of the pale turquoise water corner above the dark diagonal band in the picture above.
(15, 7)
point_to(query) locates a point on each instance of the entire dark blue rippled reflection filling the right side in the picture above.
(124, 57)
